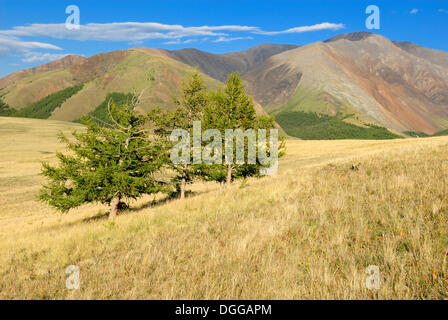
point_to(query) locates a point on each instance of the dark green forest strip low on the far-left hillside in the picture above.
(43, 108)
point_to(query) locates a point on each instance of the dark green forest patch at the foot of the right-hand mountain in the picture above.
(312, 126)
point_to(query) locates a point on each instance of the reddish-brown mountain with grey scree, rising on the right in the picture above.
(362, 74)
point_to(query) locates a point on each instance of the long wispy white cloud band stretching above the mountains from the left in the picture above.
(133, 33)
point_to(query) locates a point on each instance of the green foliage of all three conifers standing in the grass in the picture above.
(122, 152)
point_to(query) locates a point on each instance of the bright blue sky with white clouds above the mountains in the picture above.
(34, 32)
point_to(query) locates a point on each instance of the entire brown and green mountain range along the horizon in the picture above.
(361, 80)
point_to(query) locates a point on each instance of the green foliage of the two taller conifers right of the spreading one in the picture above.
(229, 108)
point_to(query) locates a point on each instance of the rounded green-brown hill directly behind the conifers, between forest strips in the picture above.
(160, 77)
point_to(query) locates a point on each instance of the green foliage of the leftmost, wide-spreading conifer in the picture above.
(104, 163)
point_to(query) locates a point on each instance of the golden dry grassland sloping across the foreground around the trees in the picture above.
(334, 208)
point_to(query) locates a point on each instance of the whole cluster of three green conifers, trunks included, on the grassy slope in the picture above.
(125, 153)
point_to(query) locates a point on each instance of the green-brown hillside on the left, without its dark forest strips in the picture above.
(122, 71)
